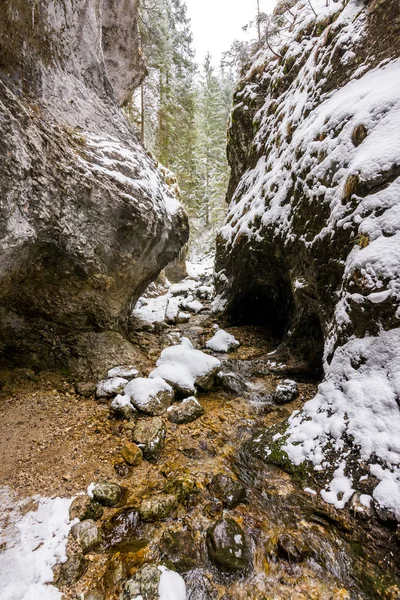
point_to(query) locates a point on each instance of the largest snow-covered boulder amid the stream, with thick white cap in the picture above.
(186, 368)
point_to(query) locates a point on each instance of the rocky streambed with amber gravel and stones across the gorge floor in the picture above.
(181, 502)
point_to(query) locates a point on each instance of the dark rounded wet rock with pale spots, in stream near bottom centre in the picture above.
(227, 546)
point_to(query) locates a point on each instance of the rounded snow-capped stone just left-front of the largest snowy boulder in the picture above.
(151, 396)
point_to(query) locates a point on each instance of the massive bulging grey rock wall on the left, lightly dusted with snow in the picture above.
(86, 219)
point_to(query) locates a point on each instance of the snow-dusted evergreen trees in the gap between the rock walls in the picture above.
(185, 111)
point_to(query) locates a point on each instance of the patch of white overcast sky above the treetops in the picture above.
(217, 23)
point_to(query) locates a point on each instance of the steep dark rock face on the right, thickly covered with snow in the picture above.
(311, 240)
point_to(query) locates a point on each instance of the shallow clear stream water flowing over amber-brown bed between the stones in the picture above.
(296, 546)
